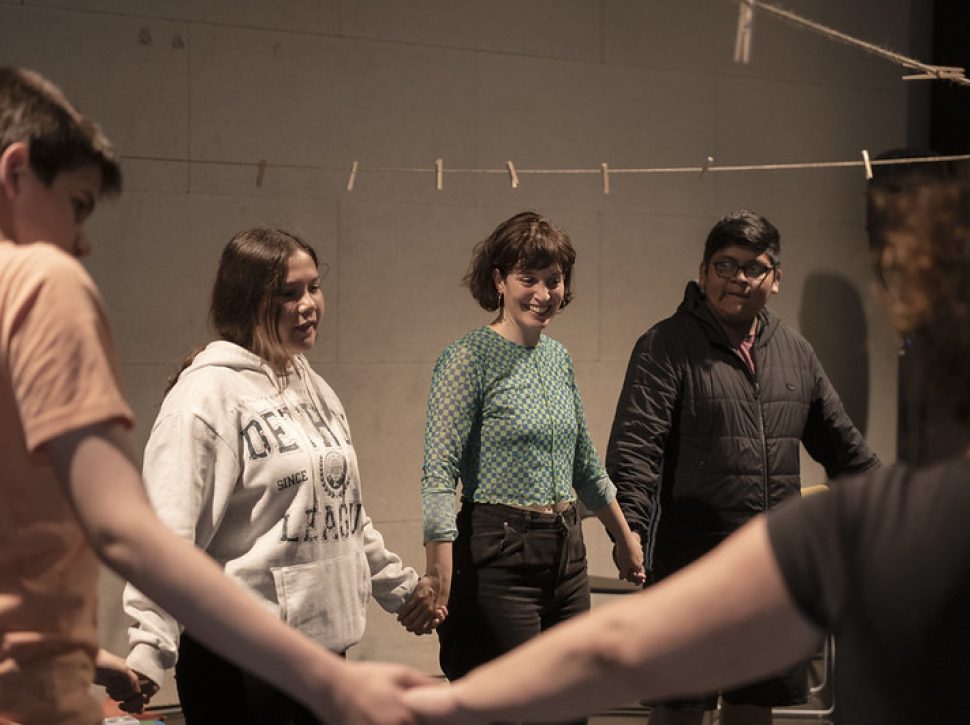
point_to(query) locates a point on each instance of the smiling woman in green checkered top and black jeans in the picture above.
(505, 417)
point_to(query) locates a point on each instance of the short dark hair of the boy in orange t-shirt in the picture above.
(61, 138)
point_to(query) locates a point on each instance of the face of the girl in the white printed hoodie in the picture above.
(301, 304)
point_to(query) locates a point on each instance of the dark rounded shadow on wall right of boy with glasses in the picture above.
(833, 319)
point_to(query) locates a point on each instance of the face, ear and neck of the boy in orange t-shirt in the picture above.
(42, 213)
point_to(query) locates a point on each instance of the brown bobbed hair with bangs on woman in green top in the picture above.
(527, 240)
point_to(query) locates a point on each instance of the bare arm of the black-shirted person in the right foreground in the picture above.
(725, 620)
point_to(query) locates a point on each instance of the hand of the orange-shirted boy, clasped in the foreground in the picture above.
(373, 694)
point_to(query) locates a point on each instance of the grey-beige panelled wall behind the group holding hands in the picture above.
(196, 92)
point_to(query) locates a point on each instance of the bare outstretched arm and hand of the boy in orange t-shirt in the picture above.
(97, 474)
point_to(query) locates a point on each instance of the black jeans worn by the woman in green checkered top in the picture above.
(516, 574)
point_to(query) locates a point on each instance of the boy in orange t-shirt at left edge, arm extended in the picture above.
(68, 486)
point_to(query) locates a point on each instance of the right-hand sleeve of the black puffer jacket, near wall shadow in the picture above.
(830, 437)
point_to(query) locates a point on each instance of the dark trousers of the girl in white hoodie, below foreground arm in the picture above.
(212, 690)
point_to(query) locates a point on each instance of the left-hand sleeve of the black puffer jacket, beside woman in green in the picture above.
(641, 425)
